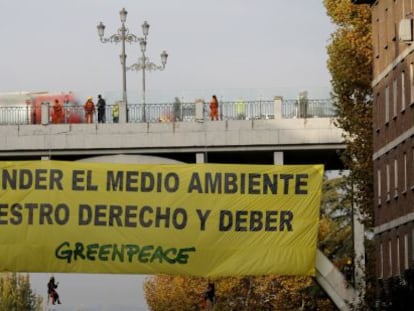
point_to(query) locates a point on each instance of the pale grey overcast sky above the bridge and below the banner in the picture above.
(233, 48)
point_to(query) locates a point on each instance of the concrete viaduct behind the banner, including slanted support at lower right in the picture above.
(272, 141)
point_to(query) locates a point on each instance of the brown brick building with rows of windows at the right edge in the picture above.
(393, 154)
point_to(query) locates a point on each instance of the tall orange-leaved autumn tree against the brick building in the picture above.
(350, 64)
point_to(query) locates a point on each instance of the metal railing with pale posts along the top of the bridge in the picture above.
(173, 112)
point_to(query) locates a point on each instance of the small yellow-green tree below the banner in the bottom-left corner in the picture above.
(16, 293)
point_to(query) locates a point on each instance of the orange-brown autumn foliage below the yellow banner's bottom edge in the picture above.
(164, 292)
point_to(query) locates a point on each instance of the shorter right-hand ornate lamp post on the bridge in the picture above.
(145, 65)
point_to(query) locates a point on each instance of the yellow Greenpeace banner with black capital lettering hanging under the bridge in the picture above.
(185, 219)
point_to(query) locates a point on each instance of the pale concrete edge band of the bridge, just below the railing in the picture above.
(228, 133)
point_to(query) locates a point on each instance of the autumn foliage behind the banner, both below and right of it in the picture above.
(165, 292)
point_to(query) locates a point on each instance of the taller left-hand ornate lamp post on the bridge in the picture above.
(123, 35)
